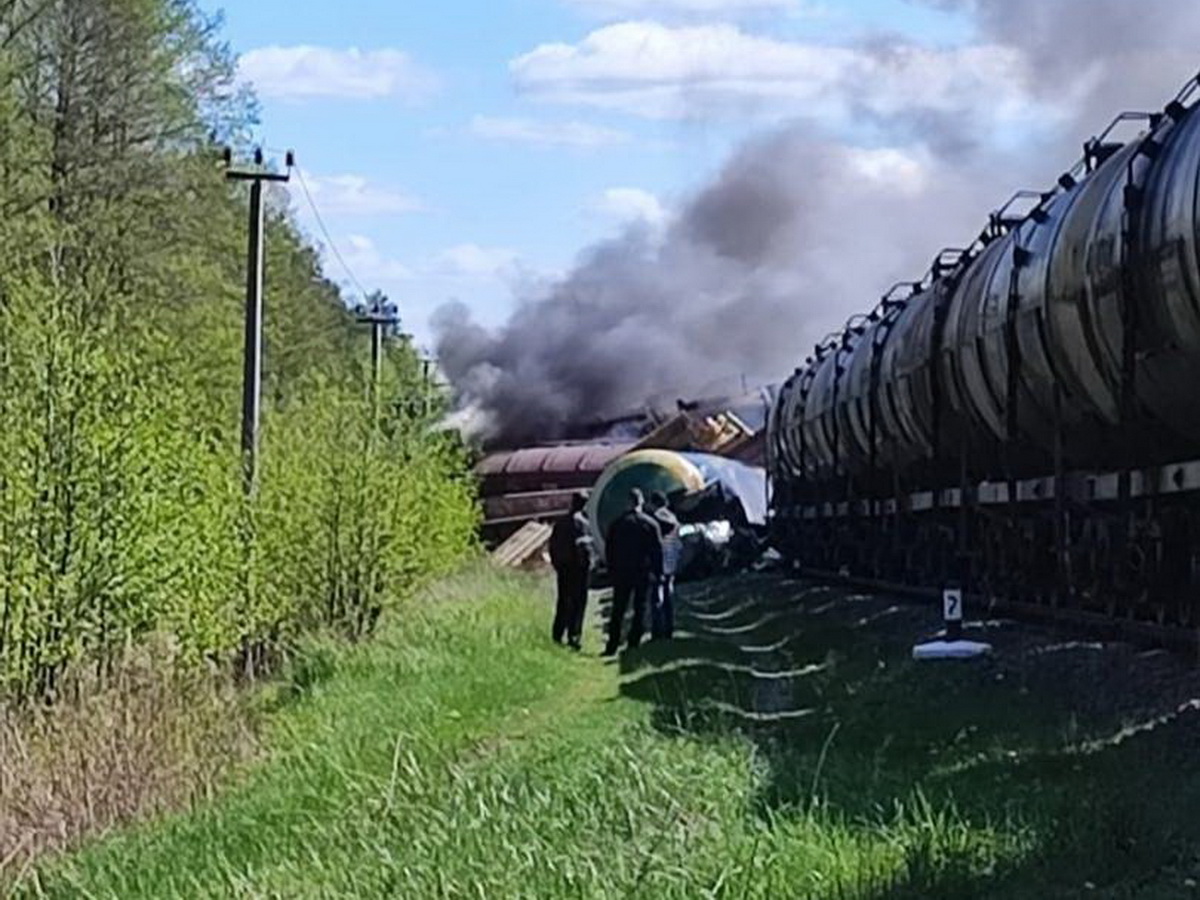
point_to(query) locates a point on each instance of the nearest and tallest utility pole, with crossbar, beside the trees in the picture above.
(253, 356)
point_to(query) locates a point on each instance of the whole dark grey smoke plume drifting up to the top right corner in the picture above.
(796, 233)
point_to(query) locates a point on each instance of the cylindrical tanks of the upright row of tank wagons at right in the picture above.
(1075, 314)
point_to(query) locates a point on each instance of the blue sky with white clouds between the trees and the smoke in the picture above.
(470, 148)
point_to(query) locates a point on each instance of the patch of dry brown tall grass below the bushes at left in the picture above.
(152, 739)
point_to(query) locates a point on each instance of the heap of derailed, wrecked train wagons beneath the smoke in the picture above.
(706, 458)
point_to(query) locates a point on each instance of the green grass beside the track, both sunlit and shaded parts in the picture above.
(464, 757)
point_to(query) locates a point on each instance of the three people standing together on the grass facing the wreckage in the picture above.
(643, 551)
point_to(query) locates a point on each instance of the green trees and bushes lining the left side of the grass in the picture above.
(122, 291)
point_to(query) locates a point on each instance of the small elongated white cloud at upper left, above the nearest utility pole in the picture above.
(307, 73)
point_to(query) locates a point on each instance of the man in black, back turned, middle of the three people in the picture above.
(634, 551)
